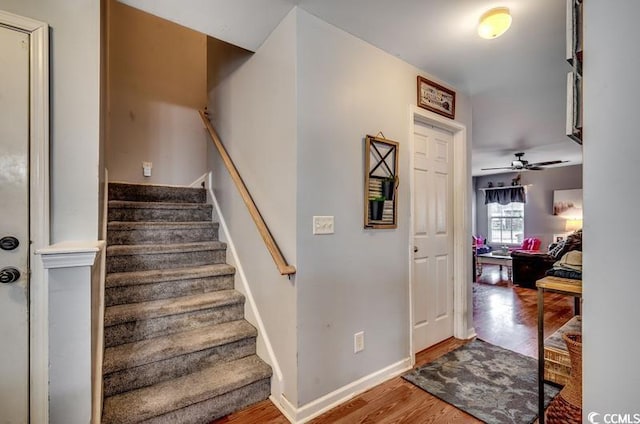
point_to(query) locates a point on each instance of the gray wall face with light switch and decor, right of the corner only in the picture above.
(354, 280)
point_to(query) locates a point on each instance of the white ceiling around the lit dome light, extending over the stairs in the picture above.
(517, 83)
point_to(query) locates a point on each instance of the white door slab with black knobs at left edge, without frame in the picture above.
(14, 222)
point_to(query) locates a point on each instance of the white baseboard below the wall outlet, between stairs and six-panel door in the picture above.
(329, 401)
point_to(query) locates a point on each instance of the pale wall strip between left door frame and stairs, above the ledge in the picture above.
(75, 111)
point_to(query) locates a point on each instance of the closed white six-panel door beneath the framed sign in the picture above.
(432, 265)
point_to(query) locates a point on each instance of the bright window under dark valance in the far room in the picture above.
(506, 223)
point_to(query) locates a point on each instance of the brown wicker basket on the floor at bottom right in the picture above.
(566, 408)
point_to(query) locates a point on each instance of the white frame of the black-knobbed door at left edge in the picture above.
(38, 208)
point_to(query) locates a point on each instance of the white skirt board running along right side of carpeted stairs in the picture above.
(252, 313)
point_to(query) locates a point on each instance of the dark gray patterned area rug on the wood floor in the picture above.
(493, 384)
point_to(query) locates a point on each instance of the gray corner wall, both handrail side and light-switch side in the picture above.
(302, 156)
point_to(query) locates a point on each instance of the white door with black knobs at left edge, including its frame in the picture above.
(24, 218)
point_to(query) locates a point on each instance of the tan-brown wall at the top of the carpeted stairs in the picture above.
(157, 81)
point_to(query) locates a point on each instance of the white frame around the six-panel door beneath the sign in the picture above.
(462, 288)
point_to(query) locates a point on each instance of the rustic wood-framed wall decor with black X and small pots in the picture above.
(380, 183)
